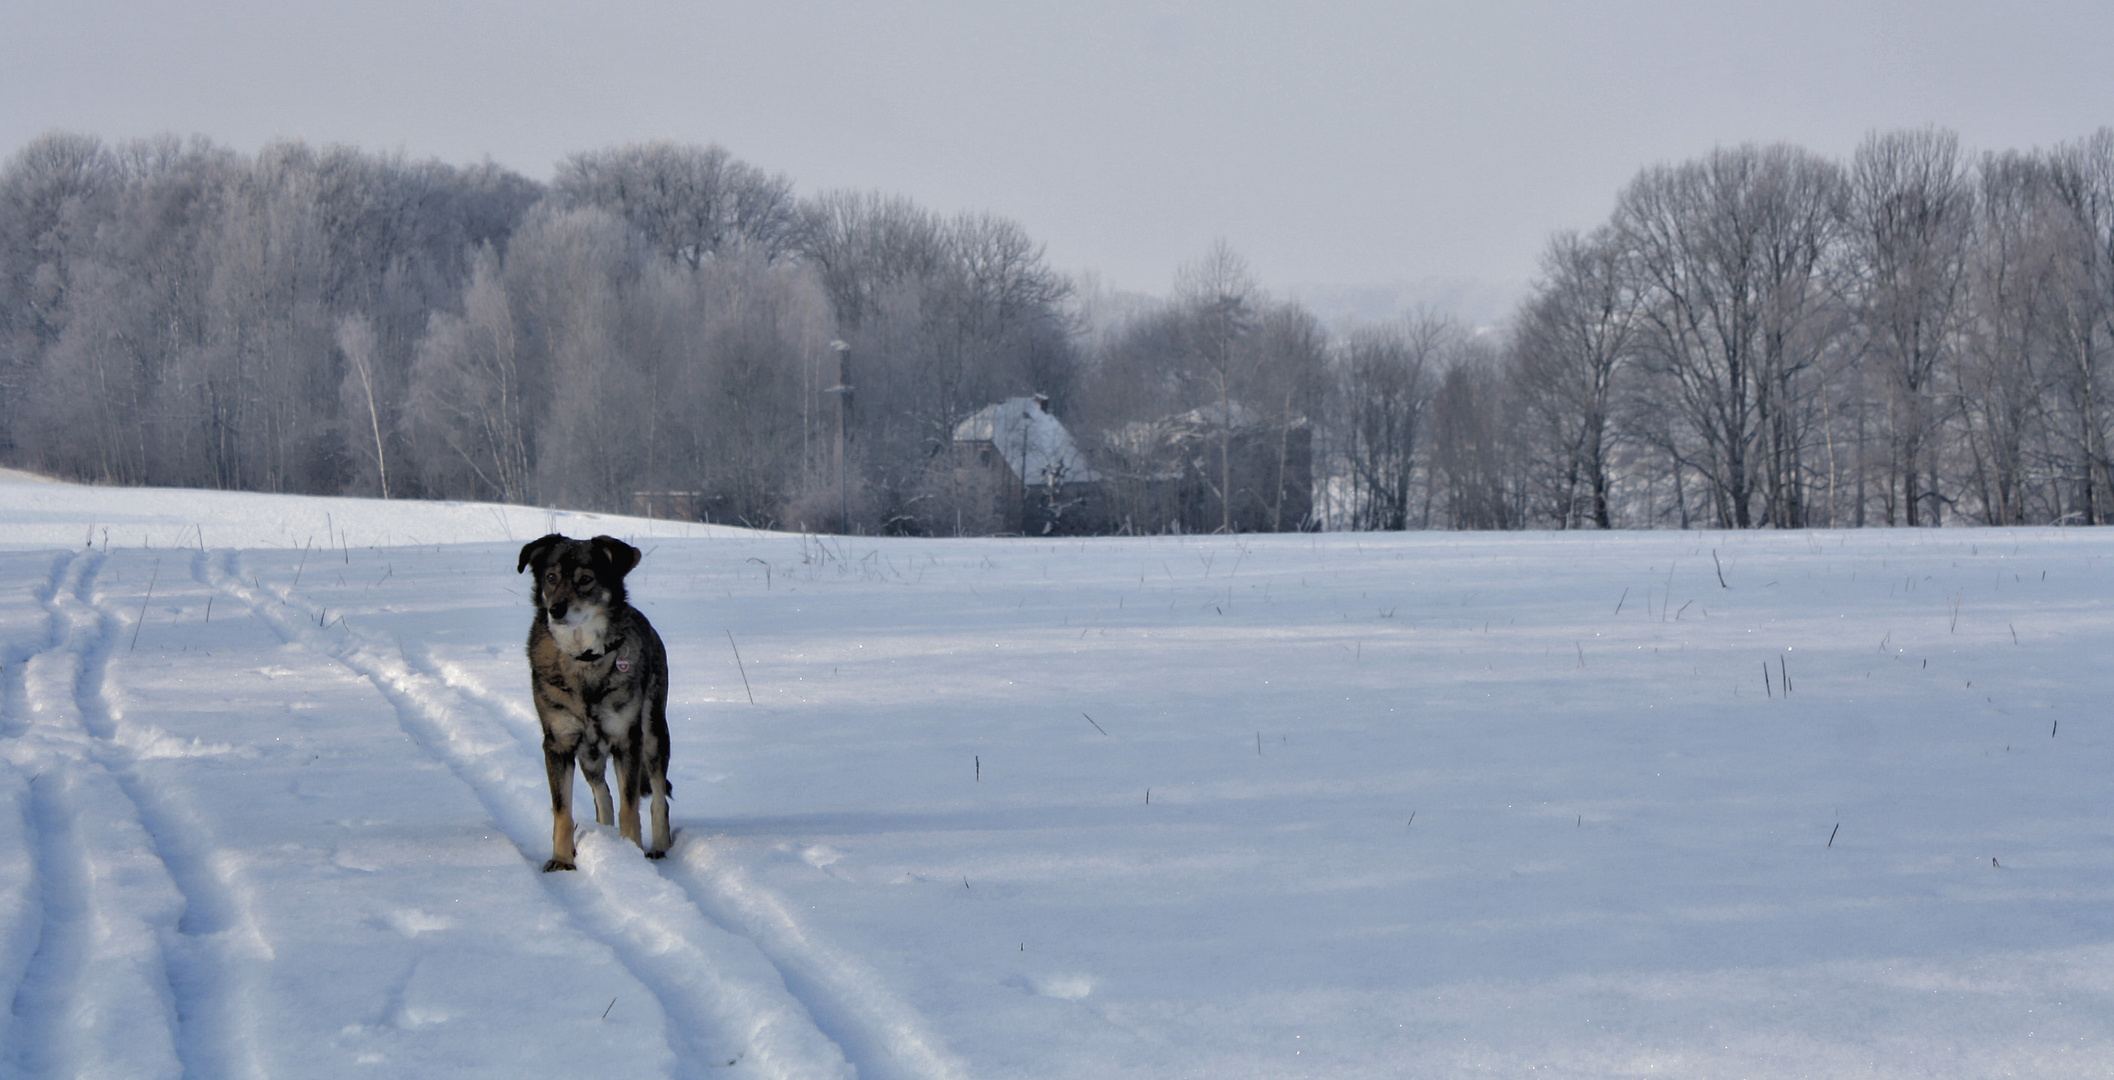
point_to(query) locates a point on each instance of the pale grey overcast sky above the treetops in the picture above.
(1329, 143)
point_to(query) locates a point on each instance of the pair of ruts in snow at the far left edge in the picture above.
(132, 969)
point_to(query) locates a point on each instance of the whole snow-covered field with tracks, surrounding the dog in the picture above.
(1263, 806)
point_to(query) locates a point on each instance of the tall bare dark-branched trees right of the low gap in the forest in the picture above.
(1766, 337)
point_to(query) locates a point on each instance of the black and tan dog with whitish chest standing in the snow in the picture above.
(599, 677)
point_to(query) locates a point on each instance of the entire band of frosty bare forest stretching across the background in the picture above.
(1760, 337)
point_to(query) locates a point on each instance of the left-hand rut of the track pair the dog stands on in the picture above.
(724, 1001)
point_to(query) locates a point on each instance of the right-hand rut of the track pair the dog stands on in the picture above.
(885, 1037)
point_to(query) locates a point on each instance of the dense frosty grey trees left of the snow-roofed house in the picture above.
(656, 320)
